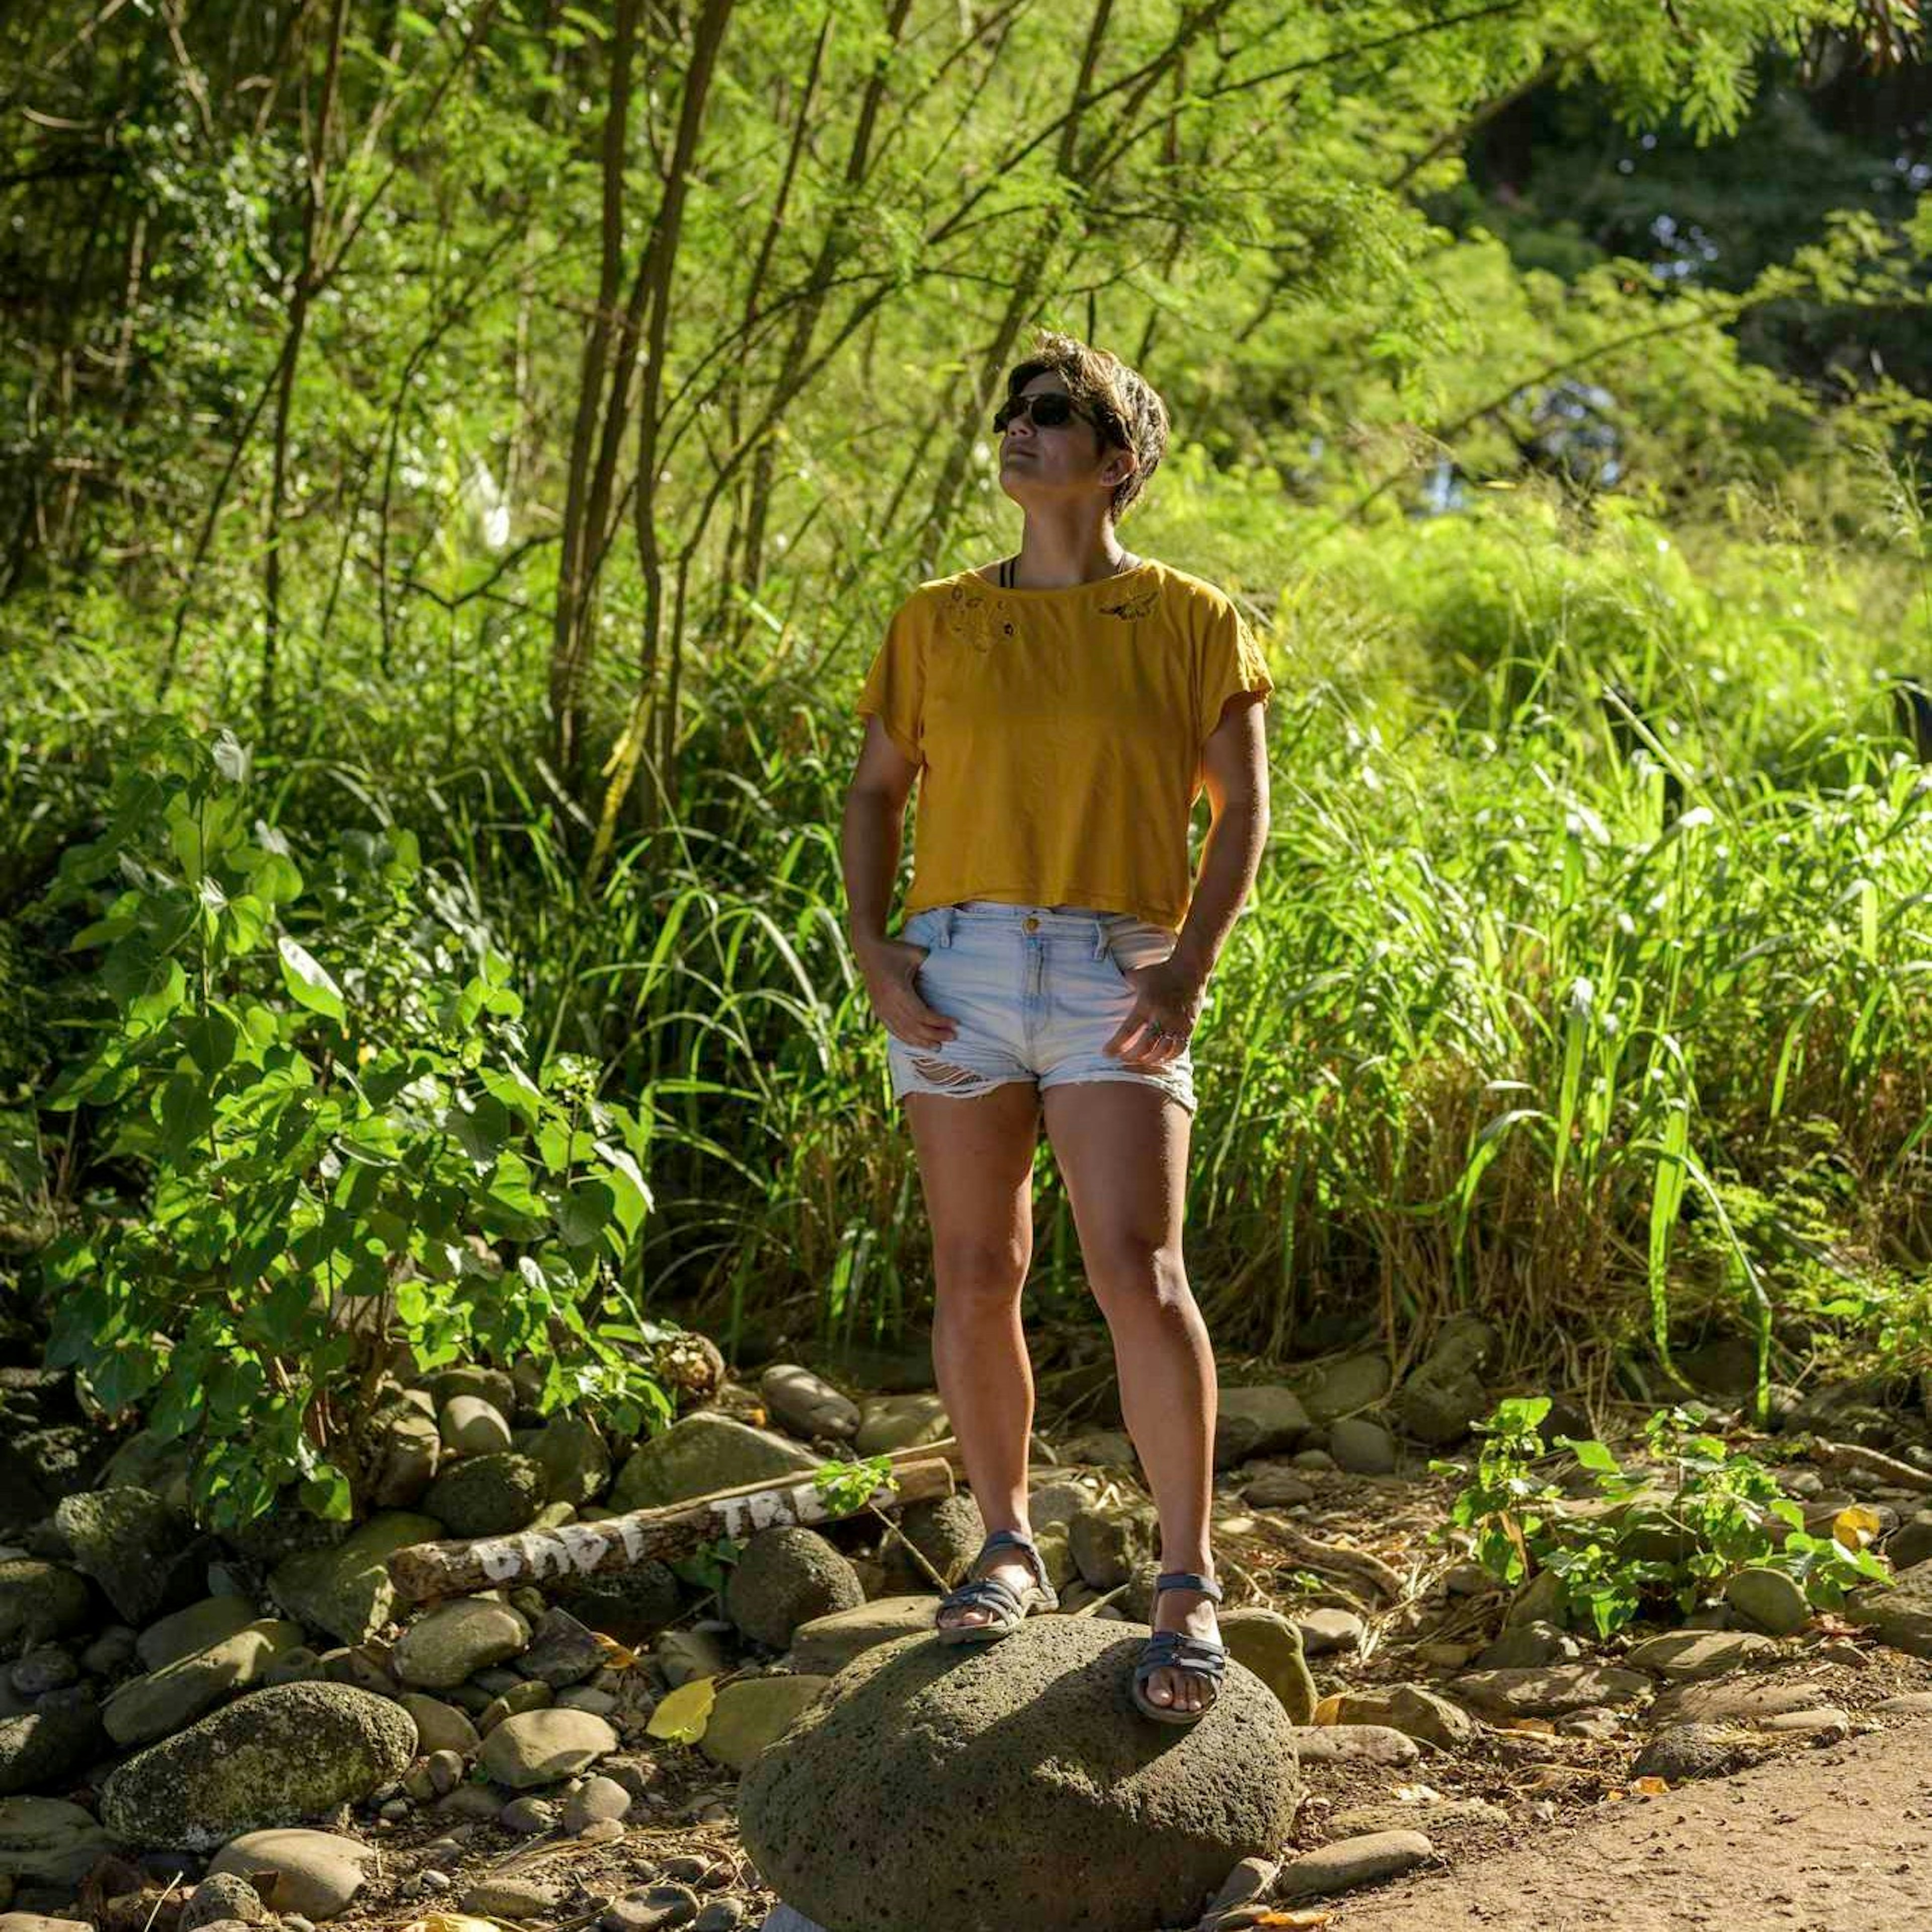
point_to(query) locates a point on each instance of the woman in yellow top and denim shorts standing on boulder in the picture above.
(1064, 710)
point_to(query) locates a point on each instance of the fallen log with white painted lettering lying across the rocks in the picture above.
(463, 1566)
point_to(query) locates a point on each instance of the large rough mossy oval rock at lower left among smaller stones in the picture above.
(271, 1759)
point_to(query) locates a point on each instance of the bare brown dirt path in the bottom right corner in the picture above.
(1834, 1840)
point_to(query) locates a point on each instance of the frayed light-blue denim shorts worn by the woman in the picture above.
(1035, 992)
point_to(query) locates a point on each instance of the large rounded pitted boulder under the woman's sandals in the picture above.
(942, 1786)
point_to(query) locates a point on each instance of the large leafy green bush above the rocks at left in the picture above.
(341, 1143)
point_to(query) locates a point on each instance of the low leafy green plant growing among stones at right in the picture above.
(1666, 1535)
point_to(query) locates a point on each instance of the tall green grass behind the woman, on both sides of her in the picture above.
(1583, 984)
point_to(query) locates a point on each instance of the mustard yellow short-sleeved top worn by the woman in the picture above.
(1060, 735)
